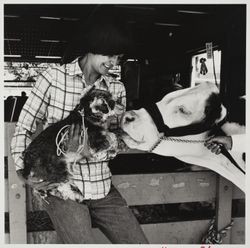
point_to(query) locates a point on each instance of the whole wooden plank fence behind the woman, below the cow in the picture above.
(172, 207)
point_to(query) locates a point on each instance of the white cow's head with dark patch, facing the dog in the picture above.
(200, 104)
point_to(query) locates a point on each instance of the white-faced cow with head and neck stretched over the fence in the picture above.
(179, 124)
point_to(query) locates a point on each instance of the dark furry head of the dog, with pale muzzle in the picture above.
(96, 105)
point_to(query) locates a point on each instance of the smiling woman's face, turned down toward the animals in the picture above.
(101, 64)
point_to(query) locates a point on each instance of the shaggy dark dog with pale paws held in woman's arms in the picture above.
(46, 157)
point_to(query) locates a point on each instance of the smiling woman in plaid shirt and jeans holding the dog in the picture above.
(56, 92)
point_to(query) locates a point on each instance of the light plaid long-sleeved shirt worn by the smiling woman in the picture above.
(57, 91)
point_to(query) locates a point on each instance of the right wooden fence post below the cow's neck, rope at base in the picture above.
(224, 198)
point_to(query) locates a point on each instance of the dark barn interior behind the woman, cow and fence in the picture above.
(168, 40)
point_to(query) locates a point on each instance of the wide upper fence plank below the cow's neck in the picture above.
(164, 188)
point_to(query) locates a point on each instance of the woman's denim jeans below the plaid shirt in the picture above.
(73, 221)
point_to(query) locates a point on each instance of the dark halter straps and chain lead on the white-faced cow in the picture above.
(155, 113)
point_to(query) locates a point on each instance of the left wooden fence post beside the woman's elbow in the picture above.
(17, 197)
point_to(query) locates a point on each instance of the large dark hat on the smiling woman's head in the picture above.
(105, 34)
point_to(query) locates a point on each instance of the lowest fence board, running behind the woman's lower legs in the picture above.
(187, 232)
